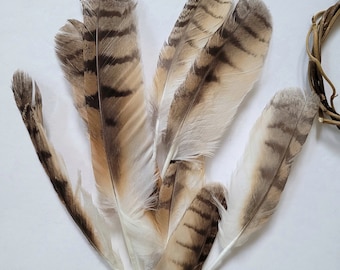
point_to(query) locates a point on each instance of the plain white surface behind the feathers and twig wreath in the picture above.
(36, 231)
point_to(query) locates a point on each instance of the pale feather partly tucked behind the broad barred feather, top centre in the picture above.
(196, 23)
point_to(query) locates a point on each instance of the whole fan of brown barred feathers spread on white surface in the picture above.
(149, 148)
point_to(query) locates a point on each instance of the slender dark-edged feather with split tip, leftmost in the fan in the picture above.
(31, 111)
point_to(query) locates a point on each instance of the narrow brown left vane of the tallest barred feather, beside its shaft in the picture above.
(90, 92)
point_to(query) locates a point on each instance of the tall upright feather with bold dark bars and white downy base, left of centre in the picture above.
(112, 63)
